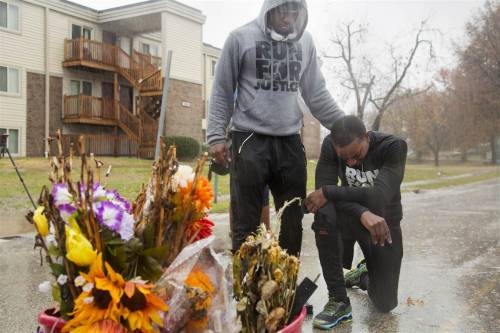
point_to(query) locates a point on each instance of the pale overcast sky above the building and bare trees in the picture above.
(389, 22)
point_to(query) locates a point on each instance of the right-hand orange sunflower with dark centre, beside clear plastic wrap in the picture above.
(142, 308)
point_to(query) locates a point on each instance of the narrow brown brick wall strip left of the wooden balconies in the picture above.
(35, 114)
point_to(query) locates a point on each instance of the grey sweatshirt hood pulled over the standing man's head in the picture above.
(299, 25)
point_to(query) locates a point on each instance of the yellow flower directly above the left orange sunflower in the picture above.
(79, 249)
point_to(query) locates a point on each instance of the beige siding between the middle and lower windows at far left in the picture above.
(13, 112)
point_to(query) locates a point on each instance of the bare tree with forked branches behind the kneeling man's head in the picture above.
(360, 77)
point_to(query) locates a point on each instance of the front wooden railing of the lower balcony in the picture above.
(89, 108)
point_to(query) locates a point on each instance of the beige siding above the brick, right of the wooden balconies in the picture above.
(184, 37)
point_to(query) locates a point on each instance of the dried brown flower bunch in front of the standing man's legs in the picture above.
(265, 279)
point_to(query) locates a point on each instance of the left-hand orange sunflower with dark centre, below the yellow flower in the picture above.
(100, 298)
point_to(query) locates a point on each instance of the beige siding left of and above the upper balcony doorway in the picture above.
(59, 30)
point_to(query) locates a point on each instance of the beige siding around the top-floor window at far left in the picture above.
(25, 49)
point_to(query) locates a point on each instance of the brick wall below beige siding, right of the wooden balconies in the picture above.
(185, 120)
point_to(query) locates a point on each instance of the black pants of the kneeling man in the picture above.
(336, 234)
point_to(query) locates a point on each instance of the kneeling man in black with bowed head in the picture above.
(365, 208)
